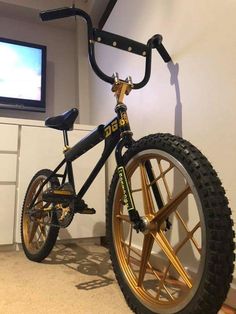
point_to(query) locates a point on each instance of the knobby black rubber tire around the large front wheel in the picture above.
(219, 257)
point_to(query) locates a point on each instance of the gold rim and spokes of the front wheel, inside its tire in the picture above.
(162, 268)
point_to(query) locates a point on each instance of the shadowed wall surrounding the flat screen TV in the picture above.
(61, 90)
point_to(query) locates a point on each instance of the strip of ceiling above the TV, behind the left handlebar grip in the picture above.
(28, 10)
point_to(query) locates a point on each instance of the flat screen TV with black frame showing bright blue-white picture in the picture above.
(22, 75)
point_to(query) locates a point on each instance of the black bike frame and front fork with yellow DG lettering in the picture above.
(115, 133)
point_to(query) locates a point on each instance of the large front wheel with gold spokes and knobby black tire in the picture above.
(188, 267)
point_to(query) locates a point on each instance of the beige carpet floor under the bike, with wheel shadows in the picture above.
(75, 279)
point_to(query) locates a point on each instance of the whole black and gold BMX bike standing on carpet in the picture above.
(167, 220)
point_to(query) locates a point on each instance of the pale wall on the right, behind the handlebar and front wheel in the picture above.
(198, 101)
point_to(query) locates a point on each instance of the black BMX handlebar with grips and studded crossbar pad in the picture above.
(116, 41)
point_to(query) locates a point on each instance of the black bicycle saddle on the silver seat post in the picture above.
(64, 121)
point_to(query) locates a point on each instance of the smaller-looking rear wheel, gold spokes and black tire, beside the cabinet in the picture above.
(38, 239)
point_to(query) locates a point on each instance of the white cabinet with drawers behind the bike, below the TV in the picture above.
(28, 147)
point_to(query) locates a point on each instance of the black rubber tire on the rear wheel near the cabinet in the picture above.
(52, 232)
